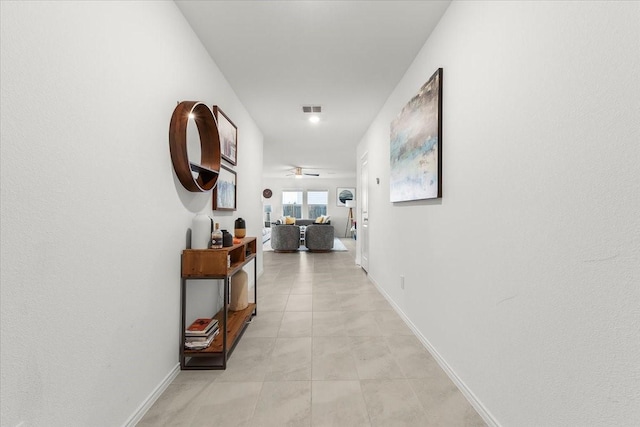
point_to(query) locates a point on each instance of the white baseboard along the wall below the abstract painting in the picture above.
(471, 397)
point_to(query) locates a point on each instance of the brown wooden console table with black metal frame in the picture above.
(219, 264)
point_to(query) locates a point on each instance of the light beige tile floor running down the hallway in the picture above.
(326, 349)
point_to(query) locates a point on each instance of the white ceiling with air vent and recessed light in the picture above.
(346, 56)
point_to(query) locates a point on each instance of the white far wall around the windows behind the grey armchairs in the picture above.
(339, 214)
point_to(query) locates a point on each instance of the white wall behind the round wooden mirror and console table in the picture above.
(93, 218)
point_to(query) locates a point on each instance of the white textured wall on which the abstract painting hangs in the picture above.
(525, 276)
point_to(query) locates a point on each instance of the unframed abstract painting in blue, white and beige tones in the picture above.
(416, 145)
